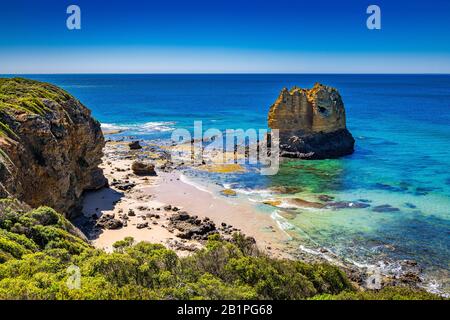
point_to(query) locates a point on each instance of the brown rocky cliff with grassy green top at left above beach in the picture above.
(50, 146)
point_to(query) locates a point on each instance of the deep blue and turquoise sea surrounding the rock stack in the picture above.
(401, 124)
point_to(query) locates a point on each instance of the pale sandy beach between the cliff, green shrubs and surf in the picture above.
(142, 204)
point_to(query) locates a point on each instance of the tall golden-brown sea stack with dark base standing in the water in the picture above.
(311, 123)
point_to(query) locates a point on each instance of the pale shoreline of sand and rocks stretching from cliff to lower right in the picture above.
(148, 196)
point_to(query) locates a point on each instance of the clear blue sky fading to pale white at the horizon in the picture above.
(225, 36)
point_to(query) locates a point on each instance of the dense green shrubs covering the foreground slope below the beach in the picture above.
(38, 247)
